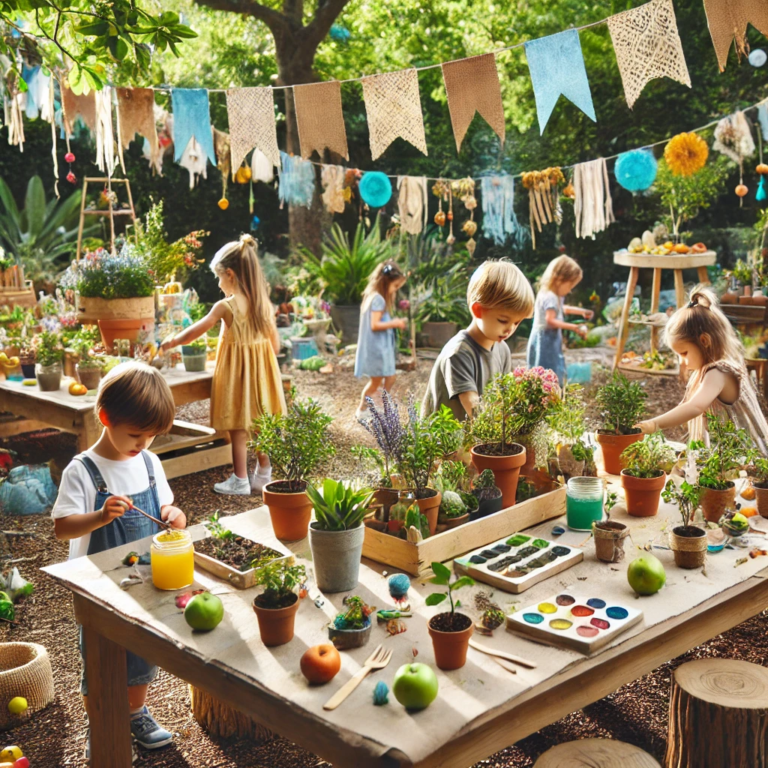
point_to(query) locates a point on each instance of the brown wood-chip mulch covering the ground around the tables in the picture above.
(636, 712)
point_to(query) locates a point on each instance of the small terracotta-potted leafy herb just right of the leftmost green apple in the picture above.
(276, 606)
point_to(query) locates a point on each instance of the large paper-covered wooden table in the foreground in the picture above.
(481, 708)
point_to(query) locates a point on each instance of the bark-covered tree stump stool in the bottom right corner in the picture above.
(718, 715)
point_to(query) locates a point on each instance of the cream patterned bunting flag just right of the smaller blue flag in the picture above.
(251, 113)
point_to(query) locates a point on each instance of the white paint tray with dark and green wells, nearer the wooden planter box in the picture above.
(515, 563)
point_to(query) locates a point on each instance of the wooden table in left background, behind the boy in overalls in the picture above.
(75, 414)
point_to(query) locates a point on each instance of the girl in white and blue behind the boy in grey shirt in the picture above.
(545, 347)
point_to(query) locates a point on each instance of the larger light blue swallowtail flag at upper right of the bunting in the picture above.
(557, 67)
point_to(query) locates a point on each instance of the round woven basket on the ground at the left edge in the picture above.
(25, 670)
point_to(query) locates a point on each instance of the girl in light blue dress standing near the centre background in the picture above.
(376, 345)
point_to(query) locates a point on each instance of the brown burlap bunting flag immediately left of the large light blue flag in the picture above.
(472, 85)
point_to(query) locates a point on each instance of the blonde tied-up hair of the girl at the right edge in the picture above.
(701, 322)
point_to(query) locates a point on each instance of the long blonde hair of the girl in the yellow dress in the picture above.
(241, 256)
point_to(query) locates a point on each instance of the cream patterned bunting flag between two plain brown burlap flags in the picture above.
(393, 107)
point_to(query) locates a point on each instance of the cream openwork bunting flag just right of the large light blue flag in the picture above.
(647, 46)
